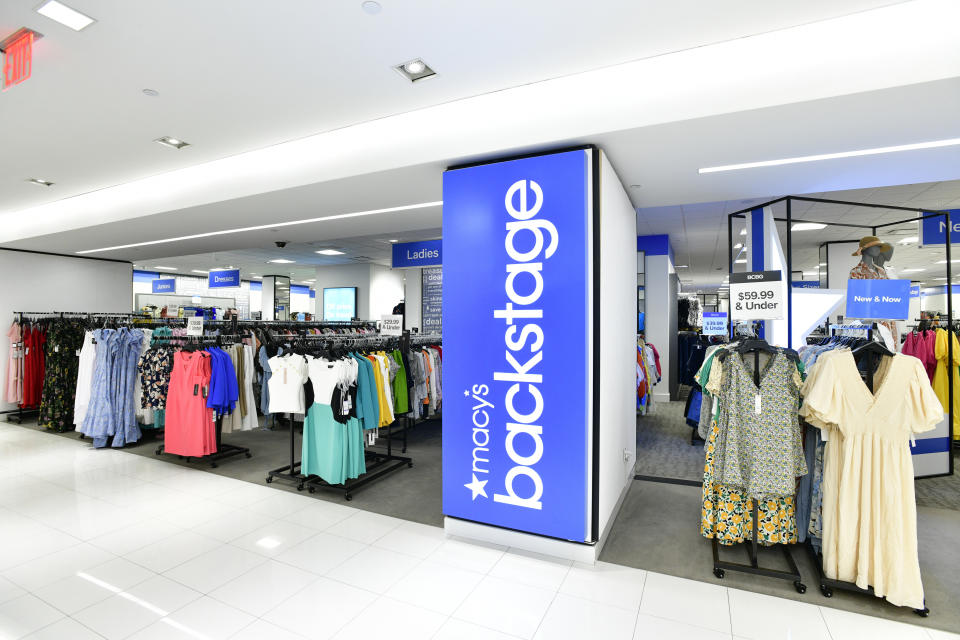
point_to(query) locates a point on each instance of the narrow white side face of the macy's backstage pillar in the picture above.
(618, 320)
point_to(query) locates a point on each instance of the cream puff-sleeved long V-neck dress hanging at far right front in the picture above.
(869, 516)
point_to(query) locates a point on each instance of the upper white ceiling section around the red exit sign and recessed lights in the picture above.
(236, 75)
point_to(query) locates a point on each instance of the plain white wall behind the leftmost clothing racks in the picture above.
(39, 282)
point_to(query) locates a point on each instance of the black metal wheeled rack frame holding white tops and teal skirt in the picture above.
(379, 463)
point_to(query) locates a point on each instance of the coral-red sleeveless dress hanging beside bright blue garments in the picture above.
(190, 429)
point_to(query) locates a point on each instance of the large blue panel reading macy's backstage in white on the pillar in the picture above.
(516, 300)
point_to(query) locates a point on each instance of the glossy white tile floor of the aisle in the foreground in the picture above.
(106, 544)
